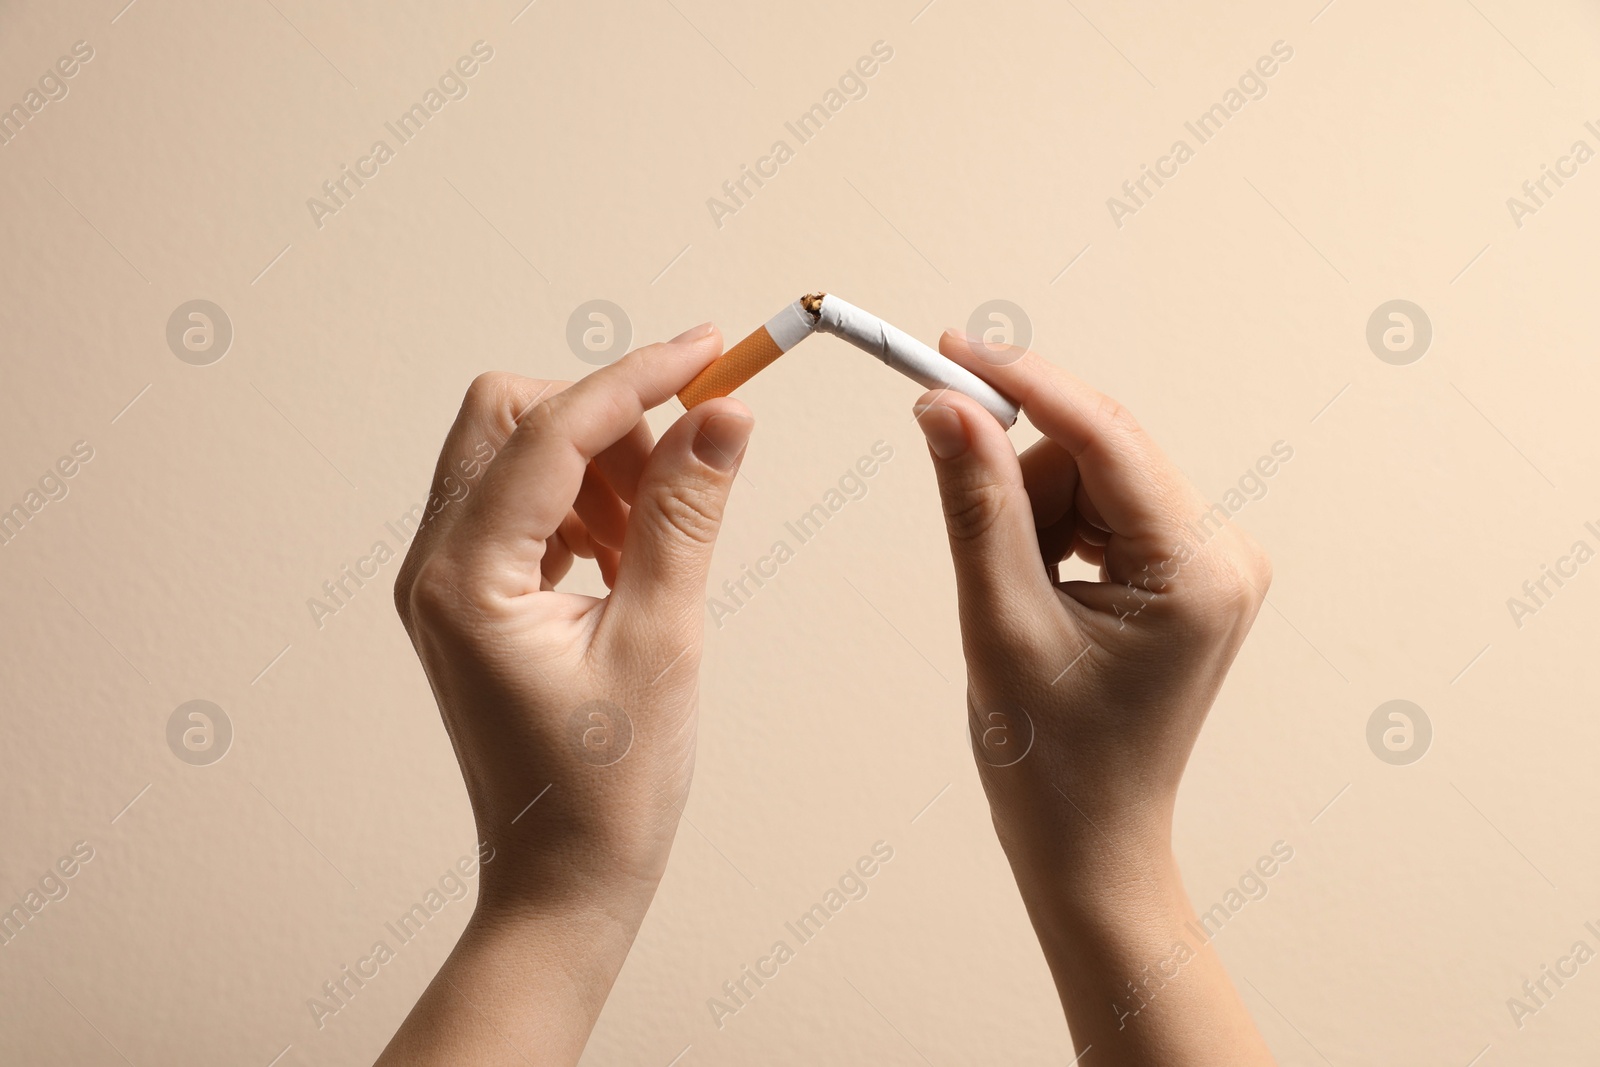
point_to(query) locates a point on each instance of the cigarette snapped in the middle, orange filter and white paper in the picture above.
(828, 314)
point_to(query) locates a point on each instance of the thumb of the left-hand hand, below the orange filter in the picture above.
(676, 518)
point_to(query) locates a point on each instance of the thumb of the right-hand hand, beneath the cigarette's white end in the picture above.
(999, 572)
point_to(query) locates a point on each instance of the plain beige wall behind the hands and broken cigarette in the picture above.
(1230, 314)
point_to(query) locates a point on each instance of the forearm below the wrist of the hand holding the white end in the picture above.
(1137, 981)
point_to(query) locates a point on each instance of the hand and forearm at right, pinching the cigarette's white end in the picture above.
(1110, 681)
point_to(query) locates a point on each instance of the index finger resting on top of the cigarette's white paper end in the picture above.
(1134, 486)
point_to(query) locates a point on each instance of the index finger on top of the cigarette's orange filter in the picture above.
(534, 482)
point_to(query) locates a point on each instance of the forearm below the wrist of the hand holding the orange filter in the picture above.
(518, 989)
